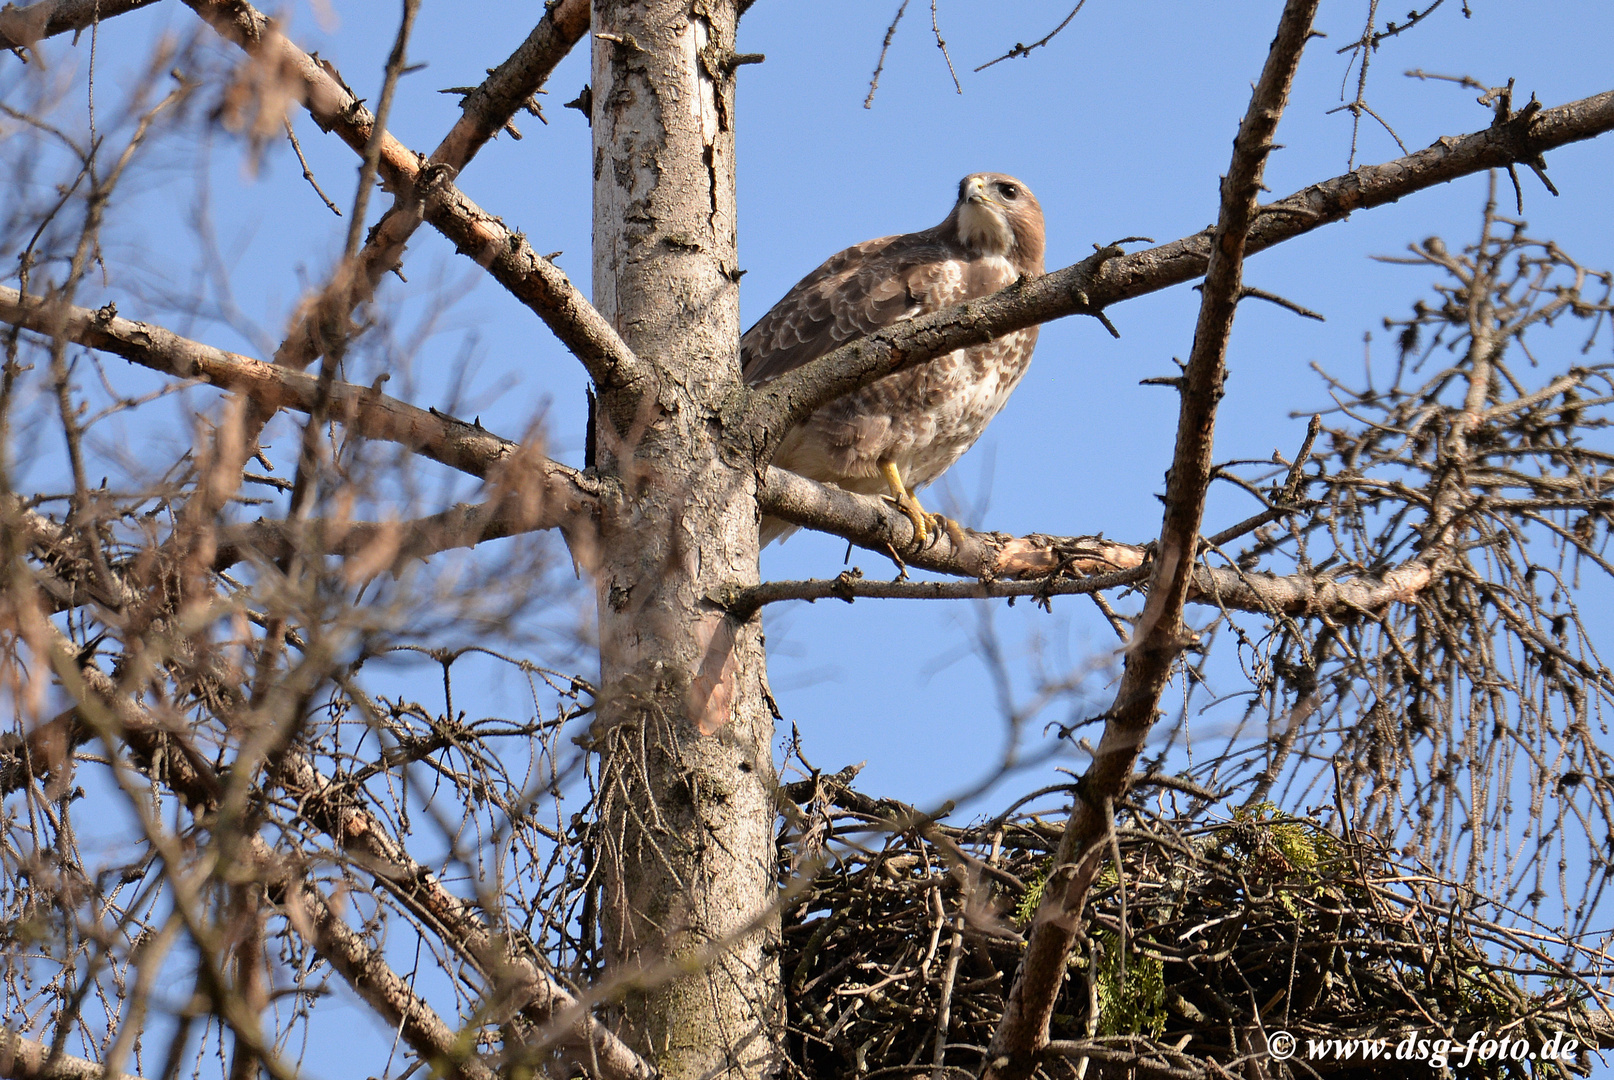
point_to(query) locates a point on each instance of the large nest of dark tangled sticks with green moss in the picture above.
(906, 936)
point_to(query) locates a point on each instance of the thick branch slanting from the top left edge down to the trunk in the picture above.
(533, 280)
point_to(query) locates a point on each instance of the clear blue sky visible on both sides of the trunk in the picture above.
(1123, 127)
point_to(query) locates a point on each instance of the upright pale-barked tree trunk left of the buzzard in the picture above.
(684, 730)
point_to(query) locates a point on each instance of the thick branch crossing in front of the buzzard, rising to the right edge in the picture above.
(1111, 277)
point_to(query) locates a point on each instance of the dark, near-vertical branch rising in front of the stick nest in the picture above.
(1160, 637)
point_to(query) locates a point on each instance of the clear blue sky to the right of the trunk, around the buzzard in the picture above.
(1123, 127)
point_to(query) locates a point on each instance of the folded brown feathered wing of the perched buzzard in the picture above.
(855, 293)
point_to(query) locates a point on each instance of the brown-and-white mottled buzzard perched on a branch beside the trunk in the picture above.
(903, 432)
